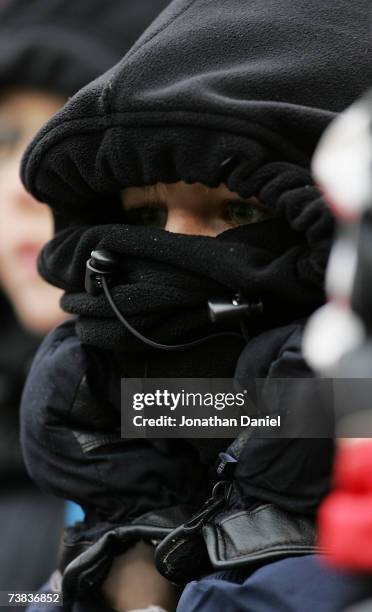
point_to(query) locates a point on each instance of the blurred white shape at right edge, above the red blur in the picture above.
(342, 167)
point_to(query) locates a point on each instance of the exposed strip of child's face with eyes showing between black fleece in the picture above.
(191, 209)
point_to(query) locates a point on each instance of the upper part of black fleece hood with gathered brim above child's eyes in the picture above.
(212, 90)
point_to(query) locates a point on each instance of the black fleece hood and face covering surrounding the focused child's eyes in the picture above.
(216, 91)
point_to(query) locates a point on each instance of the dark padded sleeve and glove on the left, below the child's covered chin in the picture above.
(72, 445)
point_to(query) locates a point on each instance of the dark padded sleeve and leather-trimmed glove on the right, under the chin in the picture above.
(264, 506)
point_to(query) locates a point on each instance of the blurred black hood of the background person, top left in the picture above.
(61, 45)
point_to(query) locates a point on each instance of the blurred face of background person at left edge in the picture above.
(25, 224)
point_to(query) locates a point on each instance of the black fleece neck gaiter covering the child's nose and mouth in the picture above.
(164, 281)
